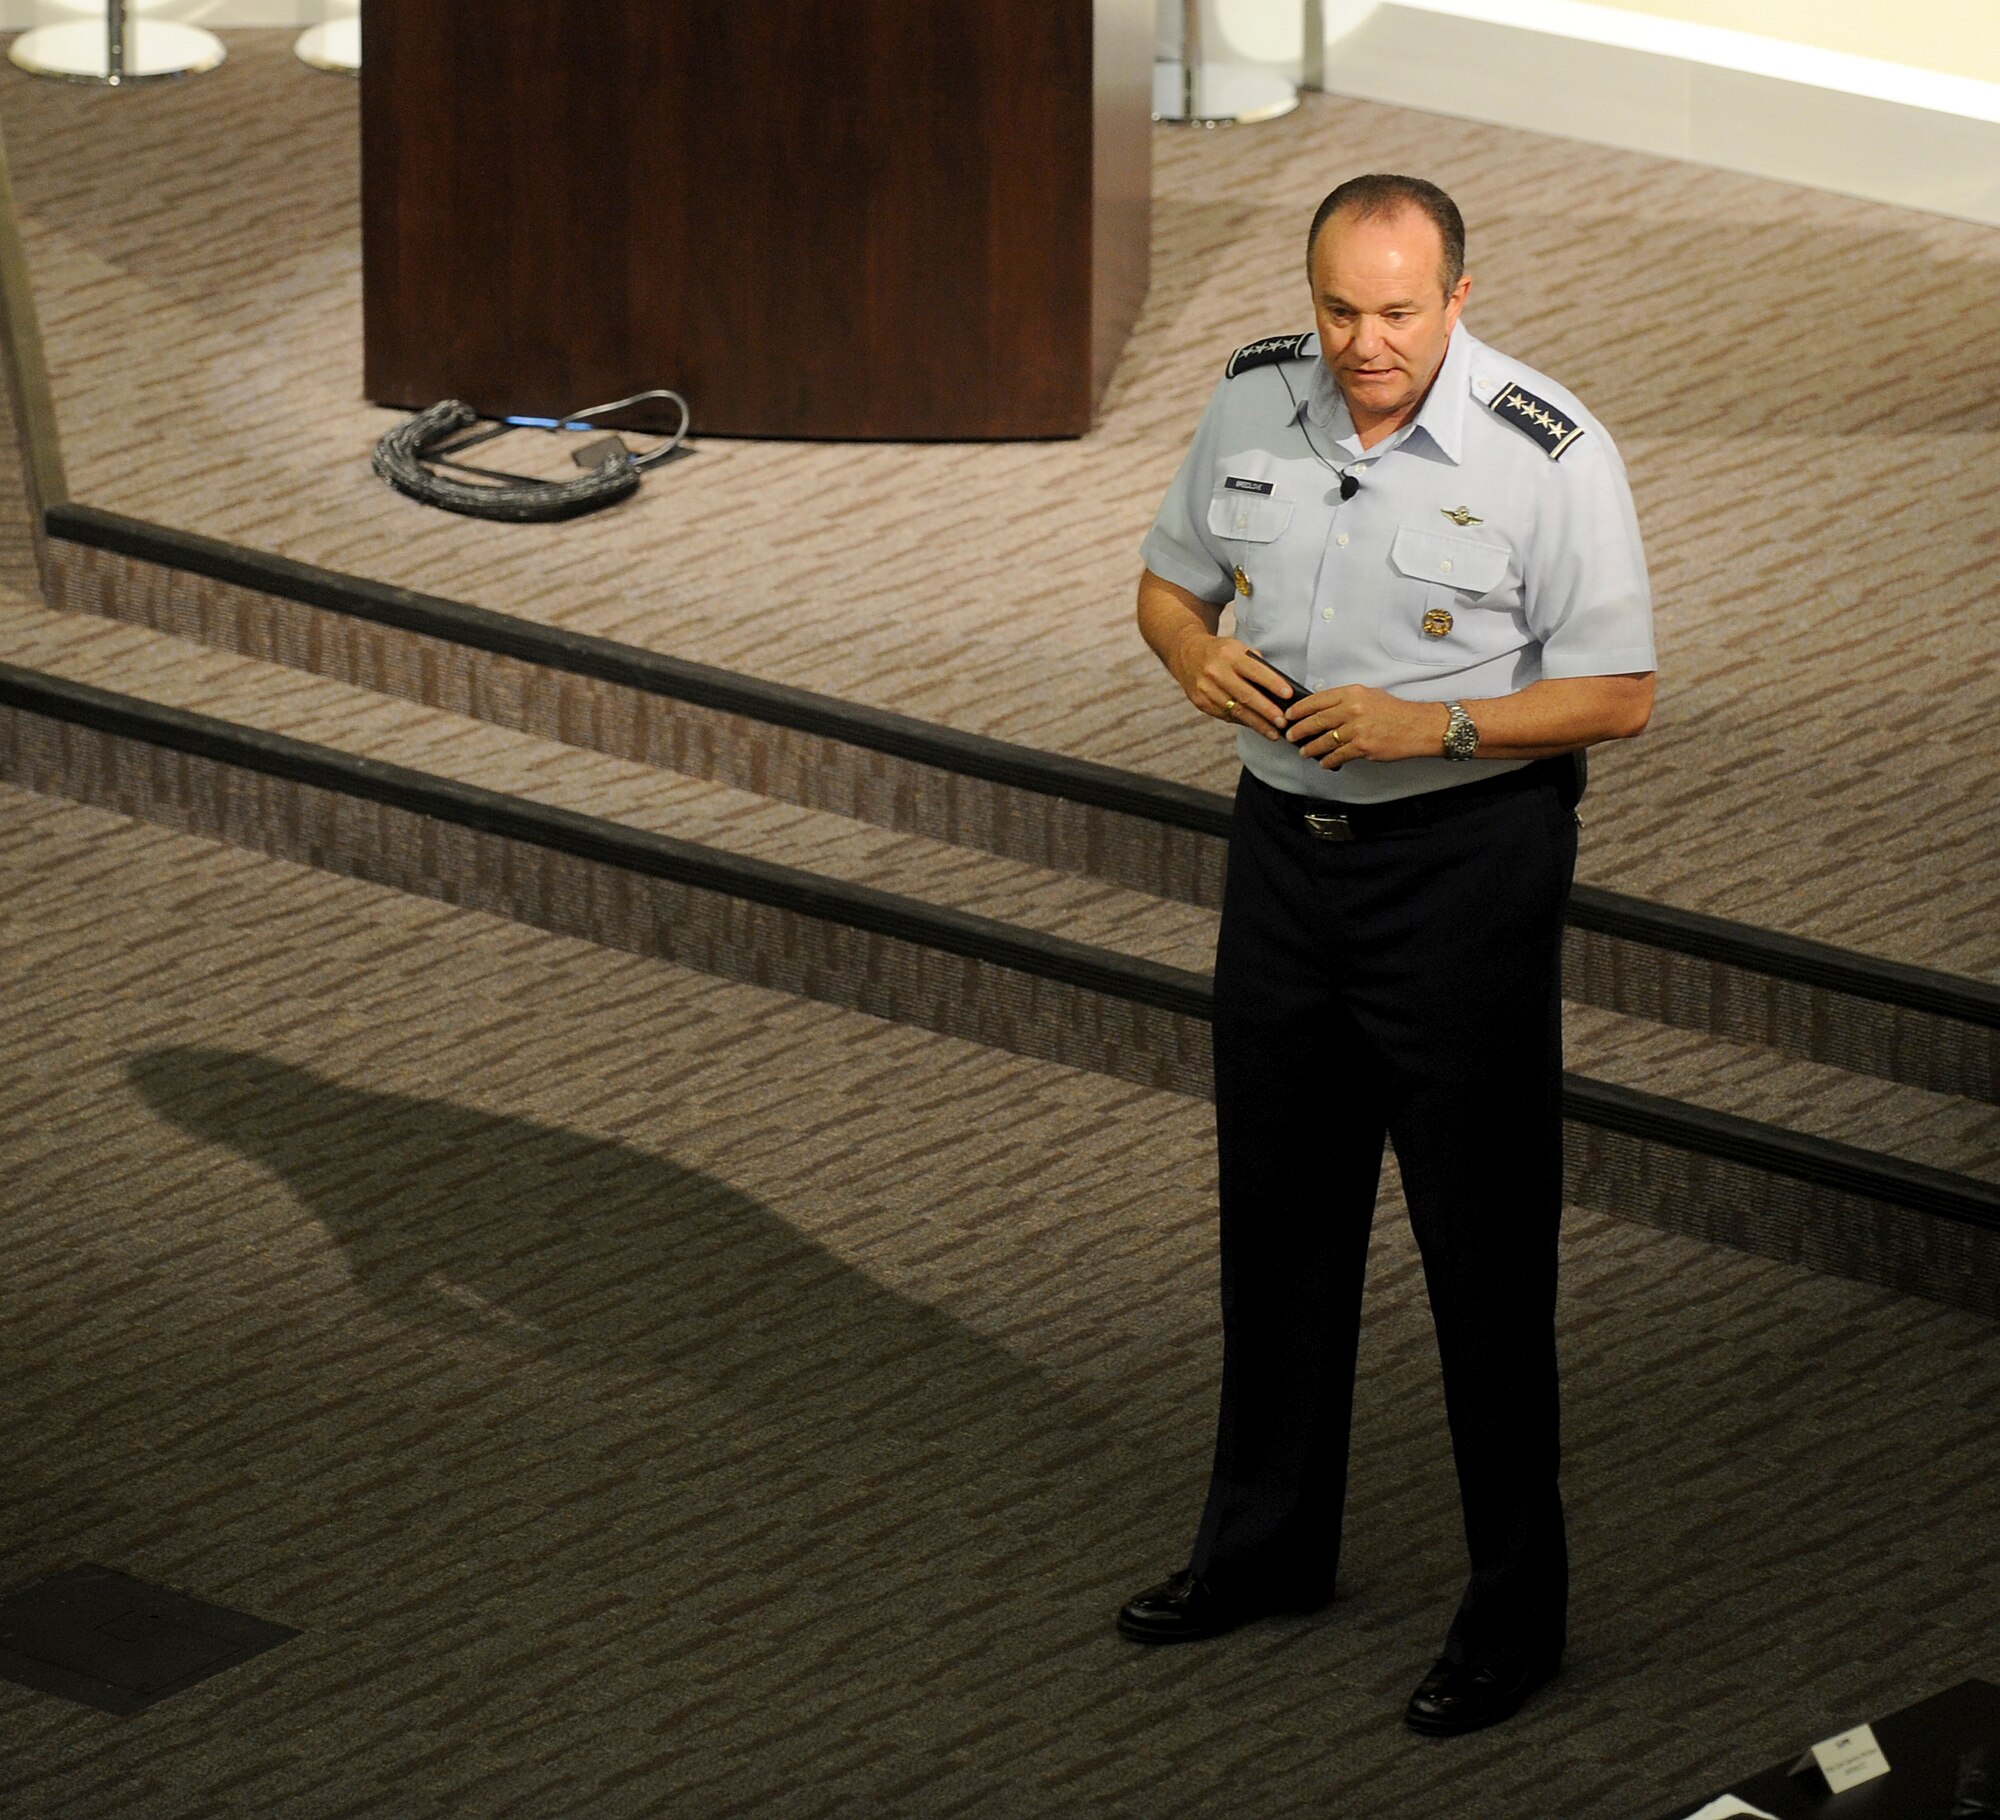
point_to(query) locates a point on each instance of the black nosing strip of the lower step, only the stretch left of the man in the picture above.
(607, 843)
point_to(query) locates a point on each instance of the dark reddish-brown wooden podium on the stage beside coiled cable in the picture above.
(877, 219)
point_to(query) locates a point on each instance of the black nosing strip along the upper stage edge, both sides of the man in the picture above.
(1629, 919)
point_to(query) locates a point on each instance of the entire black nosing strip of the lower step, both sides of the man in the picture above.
(1649, 1117)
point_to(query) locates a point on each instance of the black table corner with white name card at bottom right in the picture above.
(1927, 1749)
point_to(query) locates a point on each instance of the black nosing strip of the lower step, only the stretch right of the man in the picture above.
(1869, 1175)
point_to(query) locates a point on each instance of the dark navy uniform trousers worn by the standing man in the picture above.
(1405, 985)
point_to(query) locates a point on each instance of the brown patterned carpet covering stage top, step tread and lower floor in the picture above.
(659, 1397)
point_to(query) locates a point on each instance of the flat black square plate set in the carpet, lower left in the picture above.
(119, 1645)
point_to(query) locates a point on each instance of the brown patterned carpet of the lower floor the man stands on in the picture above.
(459, 1295)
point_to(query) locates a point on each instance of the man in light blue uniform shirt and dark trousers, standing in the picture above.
(1439, 547)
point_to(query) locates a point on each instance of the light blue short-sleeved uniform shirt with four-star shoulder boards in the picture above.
(1477, 555)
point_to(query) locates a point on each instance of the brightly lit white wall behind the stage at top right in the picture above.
(1663, 77)
